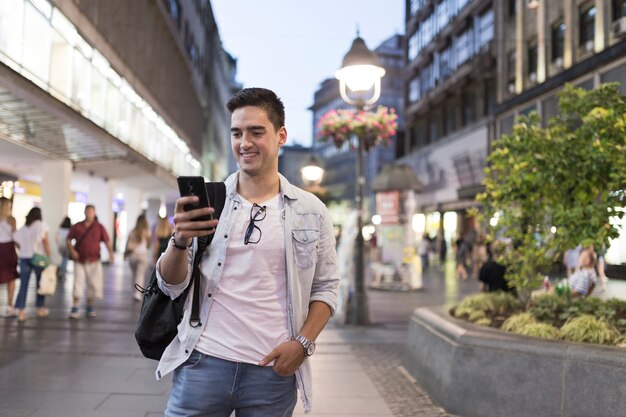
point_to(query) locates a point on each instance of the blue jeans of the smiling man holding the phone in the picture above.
(210, 387)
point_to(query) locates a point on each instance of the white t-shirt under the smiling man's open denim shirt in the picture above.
(248, 316)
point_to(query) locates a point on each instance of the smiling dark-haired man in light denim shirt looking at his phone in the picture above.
(269, 281)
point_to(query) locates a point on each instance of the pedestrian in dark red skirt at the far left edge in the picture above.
(8, 256)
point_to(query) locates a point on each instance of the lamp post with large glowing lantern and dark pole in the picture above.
(359, 85)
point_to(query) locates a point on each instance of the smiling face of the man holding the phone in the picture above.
(255, 142)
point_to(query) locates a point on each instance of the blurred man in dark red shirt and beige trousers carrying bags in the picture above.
(86, 255)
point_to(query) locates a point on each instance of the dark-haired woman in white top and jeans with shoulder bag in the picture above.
(31, 239)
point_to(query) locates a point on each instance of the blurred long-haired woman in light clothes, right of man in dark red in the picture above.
(137, 253)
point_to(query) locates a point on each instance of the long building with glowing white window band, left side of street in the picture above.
(107, 102)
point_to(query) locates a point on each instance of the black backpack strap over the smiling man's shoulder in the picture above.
(217, 199)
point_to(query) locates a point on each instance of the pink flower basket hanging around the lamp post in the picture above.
(373, 128)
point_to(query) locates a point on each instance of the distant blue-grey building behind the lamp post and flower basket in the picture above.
(340, 163)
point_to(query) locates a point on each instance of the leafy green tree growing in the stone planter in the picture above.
(550, 189)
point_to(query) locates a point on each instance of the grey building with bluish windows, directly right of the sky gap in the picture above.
(451, 78)
